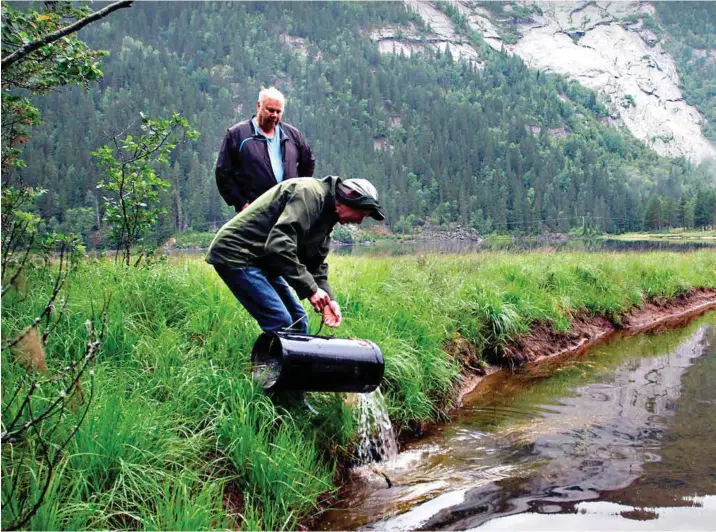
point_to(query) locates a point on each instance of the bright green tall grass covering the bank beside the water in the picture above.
(178, 437)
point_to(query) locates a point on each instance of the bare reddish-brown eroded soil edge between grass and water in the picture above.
(545, 342)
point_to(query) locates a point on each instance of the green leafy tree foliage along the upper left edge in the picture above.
(65, 62)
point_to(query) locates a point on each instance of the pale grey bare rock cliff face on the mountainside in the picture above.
(611, 47)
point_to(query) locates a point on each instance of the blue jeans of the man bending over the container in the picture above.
(268, 299)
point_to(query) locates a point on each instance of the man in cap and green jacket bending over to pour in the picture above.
(282, 239)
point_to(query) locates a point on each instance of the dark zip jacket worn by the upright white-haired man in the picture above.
(243, 169)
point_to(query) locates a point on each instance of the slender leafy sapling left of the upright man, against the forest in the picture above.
(131, 187)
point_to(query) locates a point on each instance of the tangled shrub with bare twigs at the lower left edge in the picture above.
(46, 381)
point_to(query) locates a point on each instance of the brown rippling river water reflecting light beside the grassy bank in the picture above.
(618, 438)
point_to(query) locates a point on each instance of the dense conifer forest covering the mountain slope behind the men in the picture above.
(501, 149)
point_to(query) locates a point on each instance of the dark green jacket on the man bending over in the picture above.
(285, 231)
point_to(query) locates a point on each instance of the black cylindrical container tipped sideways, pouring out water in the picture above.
(291, 361)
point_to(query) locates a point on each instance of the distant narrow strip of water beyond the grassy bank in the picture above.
(516, 246)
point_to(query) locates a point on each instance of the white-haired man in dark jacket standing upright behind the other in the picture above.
(259, 153)
